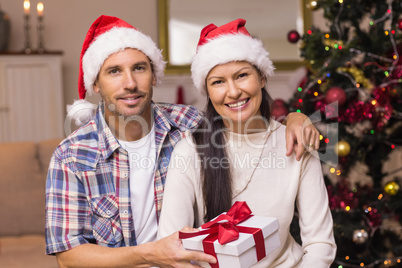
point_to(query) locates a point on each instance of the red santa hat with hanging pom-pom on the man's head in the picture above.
(107, 36)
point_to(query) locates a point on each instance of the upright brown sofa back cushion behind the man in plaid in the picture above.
(22, 189)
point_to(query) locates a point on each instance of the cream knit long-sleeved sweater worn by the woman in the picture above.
(271, 183)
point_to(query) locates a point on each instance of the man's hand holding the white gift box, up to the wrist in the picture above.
(169, 252)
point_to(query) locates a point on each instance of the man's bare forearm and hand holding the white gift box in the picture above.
(167, 252)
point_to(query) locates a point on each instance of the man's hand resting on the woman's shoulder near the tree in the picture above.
(301, 135)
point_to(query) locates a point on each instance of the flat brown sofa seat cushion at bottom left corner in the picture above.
(25, 251)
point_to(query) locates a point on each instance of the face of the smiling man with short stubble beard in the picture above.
(125, 83)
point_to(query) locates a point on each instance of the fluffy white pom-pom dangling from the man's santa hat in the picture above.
(81, 111)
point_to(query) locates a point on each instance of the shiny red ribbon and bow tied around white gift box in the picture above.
(228, 230)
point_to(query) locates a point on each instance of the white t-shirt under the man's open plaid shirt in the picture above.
(142, 158)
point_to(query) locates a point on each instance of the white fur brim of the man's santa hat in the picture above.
(113, 41)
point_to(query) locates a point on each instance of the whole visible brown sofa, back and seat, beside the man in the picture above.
(23, 170)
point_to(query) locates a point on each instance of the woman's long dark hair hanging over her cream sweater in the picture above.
(215, 168)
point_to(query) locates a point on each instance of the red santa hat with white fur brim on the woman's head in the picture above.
(227, 43)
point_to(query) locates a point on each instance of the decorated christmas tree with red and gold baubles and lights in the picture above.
(353, 92)
